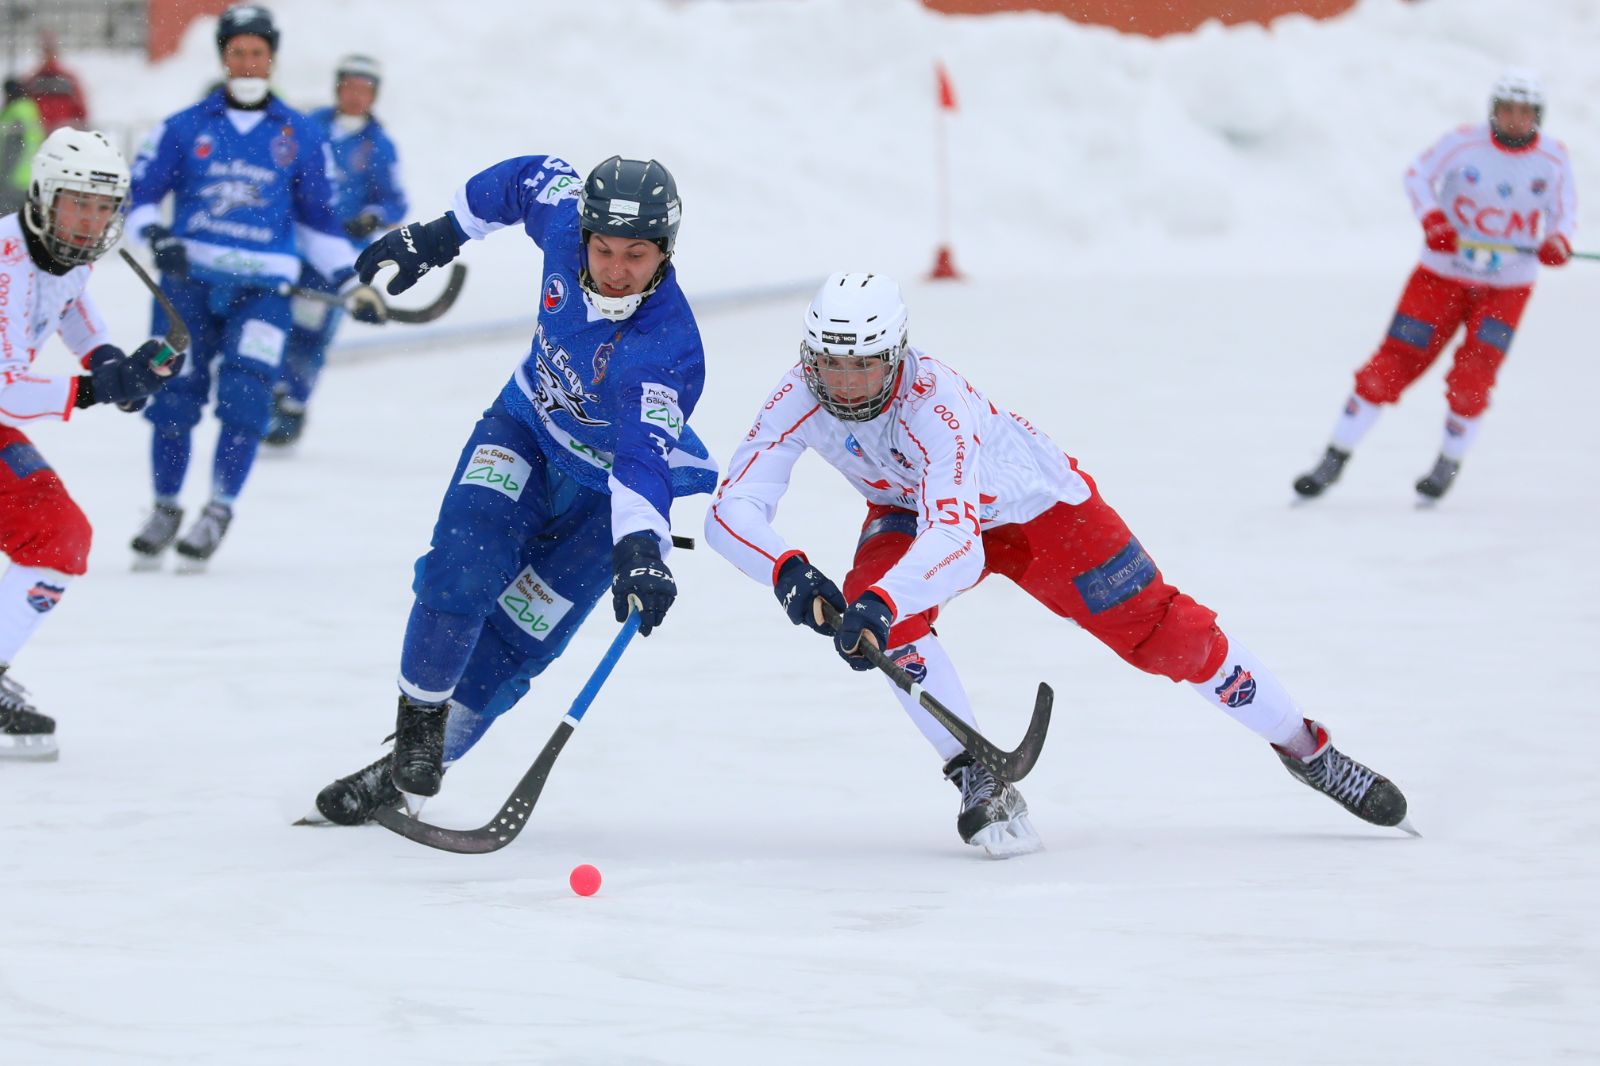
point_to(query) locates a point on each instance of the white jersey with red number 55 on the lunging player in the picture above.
(940, 451)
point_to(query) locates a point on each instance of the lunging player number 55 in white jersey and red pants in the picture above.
(959, 489)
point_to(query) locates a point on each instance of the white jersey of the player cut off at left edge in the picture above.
(36, 305)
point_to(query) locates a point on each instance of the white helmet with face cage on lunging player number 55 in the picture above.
(857, 323)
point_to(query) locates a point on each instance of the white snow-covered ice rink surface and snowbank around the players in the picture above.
(1178, 255)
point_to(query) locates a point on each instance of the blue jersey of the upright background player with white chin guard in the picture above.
(252, 193)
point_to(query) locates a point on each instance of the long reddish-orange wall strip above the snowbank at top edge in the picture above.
(1153, 18)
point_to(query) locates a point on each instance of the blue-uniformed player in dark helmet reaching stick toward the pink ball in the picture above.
(569, 478)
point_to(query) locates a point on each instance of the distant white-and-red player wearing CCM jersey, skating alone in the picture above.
(1481, 194)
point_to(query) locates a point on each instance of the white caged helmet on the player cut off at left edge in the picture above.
(76, 161)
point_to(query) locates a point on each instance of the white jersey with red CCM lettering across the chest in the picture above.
(1494, 194)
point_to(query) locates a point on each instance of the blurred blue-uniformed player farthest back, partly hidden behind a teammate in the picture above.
(367, 198)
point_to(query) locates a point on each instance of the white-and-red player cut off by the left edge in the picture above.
(71, 218)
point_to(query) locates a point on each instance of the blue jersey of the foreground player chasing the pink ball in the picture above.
(609, 401)
